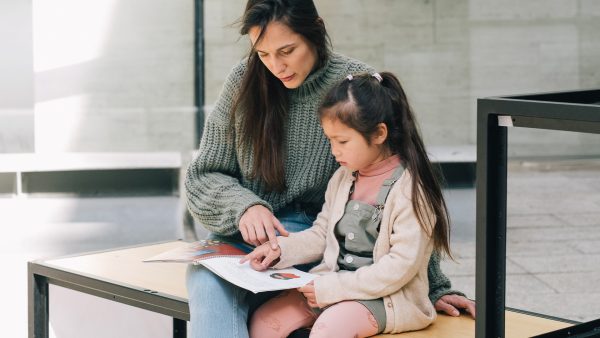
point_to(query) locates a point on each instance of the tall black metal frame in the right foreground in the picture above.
(577, 111)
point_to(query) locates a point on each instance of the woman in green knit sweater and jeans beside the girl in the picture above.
(264, 162)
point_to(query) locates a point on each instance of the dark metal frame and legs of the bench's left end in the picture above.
(40, 274)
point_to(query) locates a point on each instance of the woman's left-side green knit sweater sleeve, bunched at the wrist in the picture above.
(215, 197)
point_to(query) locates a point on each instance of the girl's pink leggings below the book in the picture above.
(289, 311)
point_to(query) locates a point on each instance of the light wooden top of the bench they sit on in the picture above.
(125, 267)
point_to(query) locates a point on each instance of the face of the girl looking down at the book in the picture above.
(349, 146)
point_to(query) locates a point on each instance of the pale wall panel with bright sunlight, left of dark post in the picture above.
(113, 75)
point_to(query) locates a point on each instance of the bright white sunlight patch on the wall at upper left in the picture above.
(66, 33)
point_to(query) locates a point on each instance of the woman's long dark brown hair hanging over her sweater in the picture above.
(262, 102)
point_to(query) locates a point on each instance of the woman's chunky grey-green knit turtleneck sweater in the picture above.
(217, 184)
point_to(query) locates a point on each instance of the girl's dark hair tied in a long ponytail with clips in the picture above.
(362, 103)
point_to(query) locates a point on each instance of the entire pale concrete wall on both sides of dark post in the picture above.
(118, 76)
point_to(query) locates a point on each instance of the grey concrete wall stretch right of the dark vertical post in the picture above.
(449, 53)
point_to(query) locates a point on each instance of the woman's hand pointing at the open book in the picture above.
(258, 225)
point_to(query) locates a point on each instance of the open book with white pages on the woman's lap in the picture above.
(223, 258)
